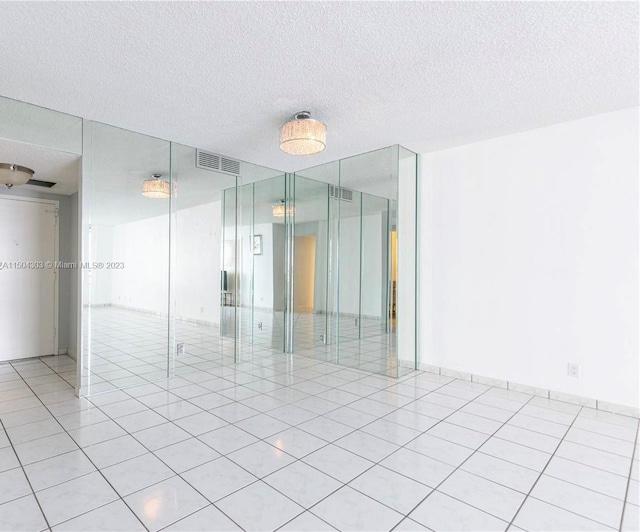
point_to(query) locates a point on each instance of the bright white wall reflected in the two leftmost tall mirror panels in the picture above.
(143, 248)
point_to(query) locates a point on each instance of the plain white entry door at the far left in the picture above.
(28, 248)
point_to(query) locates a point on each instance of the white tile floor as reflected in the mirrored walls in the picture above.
(129, 347)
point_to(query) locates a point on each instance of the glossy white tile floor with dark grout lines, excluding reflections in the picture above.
(291, 443)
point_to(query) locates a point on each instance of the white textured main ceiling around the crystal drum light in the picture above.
(223, 76)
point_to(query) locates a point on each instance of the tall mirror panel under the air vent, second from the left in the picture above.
(202, 299)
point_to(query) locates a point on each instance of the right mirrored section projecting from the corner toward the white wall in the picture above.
(354, 286)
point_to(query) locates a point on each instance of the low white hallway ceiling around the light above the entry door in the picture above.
(55, 166)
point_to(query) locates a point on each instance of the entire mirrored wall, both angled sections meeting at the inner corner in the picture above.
(199, 262)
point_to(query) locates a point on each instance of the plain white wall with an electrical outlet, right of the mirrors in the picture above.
(529, 257)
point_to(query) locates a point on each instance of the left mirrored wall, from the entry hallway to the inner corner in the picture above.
(173, 285)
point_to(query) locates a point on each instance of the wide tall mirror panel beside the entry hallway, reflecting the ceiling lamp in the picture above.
(127, 312)
